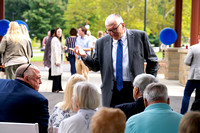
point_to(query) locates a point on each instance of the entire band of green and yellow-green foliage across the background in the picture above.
(44, 15)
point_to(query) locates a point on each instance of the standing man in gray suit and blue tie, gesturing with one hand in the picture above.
(134, 48)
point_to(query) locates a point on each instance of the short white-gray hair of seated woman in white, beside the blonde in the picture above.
(86, 95)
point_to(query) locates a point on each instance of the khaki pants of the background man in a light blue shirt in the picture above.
(81, 68)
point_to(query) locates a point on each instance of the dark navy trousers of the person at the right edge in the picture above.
(189, 88)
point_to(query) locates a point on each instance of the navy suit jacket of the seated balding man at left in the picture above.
(20, 103)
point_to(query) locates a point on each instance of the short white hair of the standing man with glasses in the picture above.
(113, 18)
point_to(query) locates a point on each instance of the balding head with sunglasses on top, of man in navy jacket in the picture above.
(29, 74)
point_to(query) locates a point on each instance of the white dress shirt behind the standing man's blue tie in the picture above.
(125, 63)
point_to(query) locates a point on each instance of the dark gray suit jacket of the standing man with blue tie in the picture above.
(139, 49)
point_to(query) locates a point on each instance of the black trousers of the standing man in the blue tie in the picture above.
(123, 96)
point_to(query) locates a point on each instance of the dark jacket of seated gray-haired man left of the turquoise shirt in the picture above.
(132, 108)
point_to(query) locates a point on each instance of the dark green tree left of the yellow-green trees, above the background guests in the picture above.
(43, 16)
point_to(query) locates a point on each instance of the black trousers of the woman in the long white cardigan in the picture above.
(56, 83)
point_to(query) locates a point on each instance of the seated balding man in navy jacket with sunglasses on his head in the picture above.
(20, 100)
